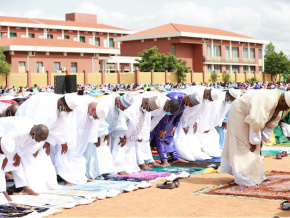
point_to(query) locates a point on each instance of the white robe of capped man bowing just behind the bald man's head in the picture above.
(42, 109)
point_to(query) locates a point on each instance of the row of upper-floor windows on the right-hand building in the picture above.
(235, 52)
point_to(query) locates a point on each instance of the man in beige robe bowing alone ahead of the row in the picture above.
(251, 120)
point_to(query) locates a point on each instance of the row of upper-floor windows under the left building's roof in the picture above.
(92, 41)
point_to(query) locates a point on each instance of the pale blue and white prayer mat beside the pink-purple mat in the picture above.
(99, 185)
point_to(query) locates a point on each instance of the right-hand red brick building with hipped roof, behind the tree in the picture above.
(204, 49)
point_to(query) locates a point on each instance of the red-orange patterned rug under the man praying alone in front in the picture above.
(276, 188)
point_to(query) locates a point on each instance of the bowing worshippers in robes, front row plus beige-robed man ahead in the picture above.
(75, 139)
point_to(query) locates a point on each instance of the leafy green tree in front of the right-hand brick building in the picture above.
(151, 59)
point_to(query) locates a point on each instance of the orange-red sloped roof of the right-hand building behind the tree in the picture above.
(172, 28)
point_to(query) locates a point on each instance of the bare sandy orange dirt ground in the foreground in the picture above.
(154, 202)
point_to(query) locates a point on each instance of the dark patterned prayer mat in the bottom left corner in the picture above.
(18, 210)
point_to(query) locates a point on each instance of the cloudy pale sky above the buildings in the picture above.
(262, 19)
